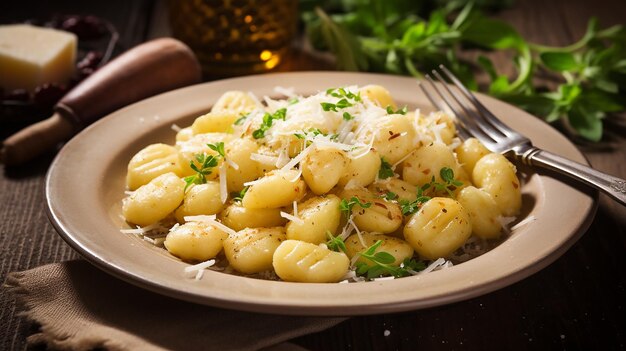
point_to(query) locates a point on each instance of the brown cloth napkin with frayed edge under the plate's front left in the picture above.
(80, 307)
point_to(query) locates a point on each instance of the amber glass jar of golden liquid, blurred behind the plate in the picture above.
(235, 37)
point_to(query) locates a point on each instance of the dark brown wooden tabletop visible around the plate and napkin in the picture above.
(575, 303)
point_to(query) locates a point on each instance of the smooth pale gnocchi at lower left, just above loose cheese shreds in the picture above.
(195, 241)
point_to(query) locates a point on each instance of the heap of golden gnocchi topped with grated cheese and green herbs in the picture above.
(345, 184)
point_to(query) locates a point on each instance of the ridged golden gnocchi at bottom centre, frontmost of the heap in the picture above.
(299, 261)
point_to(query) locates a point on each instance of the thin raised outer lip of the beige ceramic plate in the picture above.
(280, 308)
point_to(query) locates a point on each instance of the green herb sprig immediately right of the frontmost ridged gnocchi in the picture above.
(382, 264)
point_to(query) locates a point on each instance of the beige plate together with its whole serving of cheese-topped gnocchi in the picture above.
(310, 193)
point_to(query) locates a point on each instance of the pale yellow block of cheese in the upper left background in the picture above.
(31, 56)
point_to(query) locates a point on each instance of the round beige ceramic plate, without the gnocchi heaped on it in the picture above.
(85, 185)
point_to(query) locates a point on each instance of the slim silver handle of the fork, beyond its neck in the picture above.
(613, 186)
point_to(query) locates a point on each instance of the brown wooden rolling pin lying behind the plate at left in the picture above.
(143, 71)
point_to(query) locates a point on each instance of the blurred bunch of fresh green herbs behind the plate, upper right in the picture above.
(410, 37)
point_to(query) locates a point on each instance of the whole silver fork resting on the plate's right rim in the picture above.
(475, 120)
